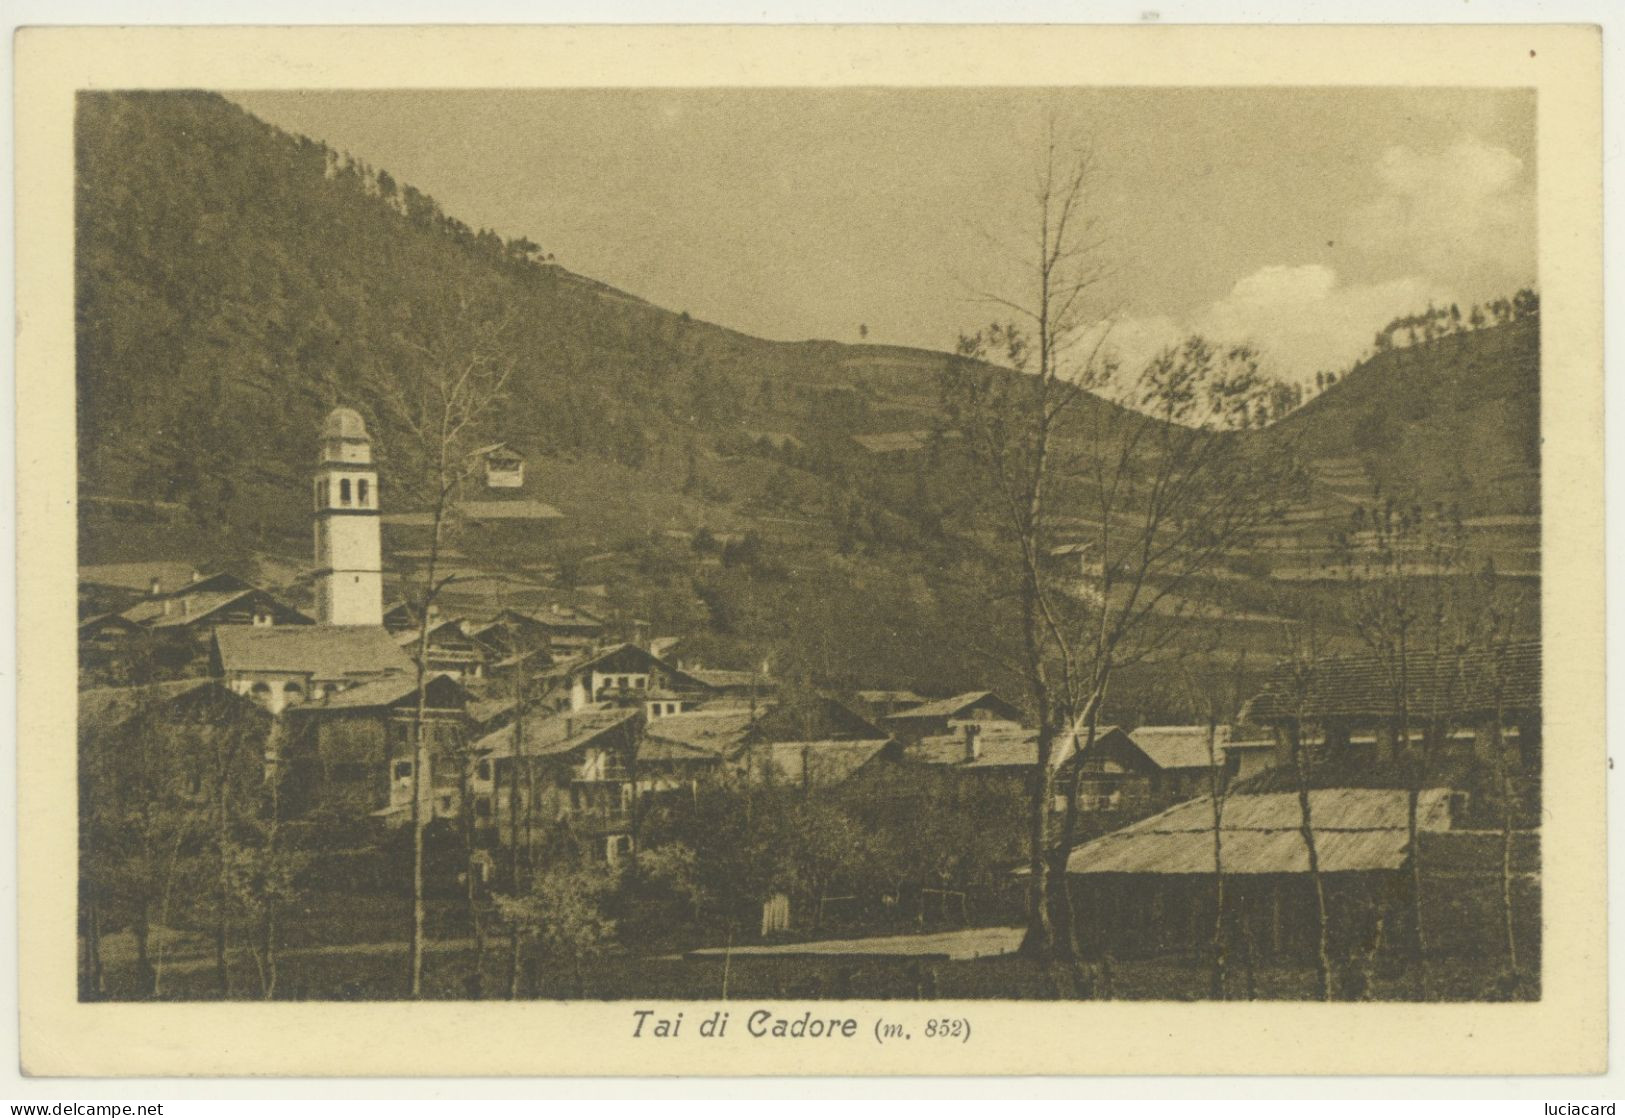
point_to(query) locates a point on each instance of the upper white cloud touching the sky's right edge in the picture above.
(1462, 212)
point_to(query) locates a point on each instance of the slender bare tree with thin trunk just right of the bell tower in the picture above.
(454, 378)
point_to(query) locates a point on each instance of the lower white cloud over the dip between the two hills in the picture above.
(1301, 318)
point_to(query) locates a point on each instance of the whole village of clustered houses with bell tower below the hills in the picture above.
(548, 740)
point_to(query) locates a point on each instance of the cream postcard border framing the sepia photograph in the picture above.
(1566, 1033)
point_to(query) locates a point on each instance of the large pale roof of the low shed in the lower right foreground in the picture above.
(1356, 830)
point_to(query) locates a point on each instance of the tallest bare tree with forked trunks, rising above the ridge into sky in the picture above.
(1146, 477)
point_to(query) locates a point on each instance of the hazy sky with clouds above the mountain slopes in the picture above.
(1299, 220)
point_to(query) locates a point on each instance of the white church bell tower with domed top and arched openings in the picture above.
(349, 560)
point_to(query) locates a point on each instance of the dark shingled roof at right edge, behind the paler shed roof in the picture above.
(1363, 687)
